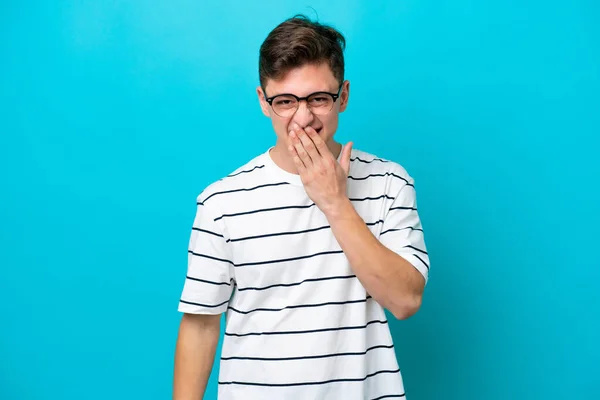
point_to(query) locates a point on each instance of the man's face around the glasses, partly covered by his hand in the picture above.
(301, 82)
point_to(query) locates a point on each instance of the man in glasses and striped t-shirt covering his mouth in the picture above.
(303, 247)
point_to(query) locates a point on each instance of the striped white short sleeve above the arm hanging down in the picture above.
(209, 281)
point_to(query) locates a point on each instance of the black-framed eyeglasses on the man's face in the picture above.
(320, 103)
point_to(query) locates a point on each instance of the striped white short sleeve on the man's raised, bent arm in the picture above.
(402, 231)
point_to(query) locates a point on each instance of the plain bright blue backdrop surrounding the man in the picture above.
(115, 115)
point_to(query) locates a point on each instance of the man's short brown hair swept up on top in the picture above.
(299, 41)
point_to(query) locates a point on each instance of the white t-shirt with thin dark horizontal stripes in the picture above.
(299, 323)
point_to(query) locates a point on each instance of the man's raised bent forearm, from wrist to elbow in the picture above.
(391, 280)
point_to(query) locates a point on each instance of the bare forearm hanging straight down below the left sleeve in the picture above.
(194, 355)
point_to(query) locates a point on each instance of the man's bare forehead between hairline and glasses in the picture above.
(304, 80)
